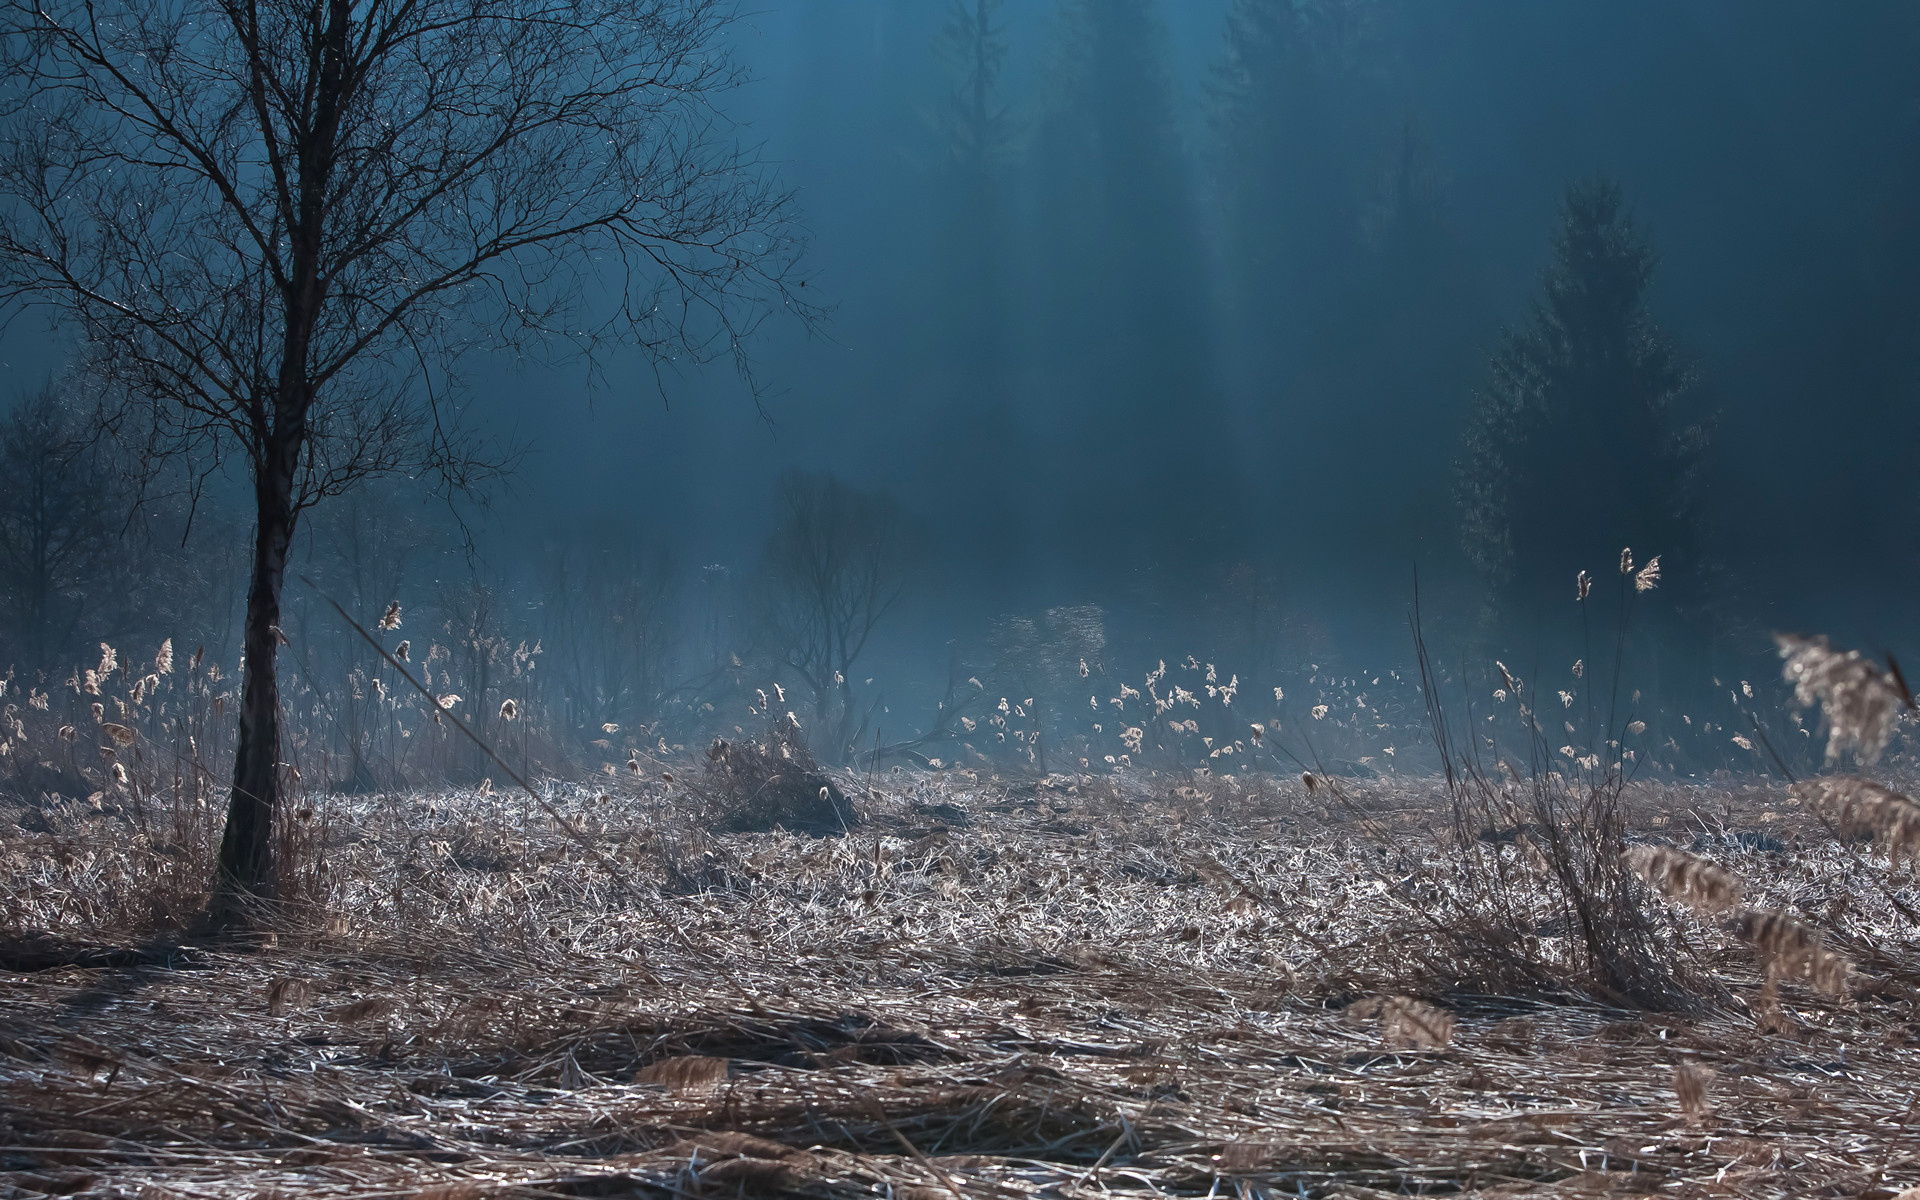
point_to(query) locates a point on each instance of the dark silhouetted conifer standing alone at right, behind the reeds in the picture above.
(1589, 435)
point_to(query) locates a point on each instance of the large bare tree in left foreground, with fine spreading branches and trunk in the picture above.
(279, 226)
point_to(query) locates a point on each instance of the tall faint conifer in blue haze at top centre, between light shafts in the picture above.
(1122, 333)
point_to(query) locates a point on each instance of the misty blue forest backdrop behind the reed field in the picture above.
(1151, 333)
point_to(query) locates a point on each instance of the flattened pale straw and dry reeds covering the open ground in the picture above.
(1065, 988)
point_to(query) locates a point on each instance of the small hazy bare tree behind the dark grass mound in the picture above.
(832, 569)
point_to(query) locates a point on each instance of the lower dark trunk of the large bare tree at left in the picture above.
(245, 876)
